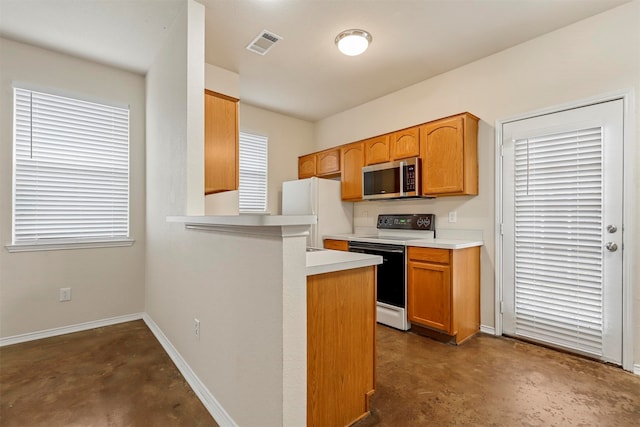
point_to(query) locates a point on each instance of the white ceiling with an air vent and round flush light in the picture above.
(303, 75)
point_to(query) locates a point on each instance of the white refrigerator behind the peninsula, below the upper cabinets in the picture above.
(320, 197)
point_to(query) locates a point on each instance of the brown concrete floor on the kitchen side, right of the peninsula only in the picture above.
(491, 381)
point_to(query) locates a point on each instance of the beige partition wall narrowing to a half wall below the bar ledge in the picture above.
(233, 284)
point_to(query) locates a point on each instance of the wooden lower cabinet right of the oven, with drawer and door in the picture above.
(443, 290)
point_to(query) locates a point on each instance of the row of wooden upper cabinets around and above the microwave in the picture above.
(447, 147)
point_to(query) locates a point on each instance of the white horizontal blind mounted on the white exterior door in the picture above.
(558, 239)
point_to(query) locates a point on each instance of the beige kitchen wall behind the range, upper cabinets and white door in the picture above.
(587, 59)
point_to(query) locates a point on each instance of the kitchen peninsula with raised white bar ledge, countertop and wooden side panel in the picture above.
(328, 318)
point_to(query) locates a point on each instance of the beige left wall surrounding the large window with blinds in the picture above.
(105, 282)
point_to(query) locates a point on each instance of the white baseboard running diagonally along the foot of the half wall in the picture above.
(213, 406)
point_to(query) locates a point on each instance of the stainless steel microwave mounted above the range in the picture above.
(391, 180)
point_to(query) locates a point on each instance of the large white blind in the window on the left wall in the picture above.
(71, 176)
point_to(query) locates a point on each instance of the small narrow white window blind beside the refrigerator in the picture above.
(253, 173)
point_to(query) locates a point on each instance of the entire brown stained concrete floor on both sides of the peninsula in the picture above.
(120, 376)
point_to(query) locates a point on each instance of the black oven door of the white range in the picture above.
(391, 273)
